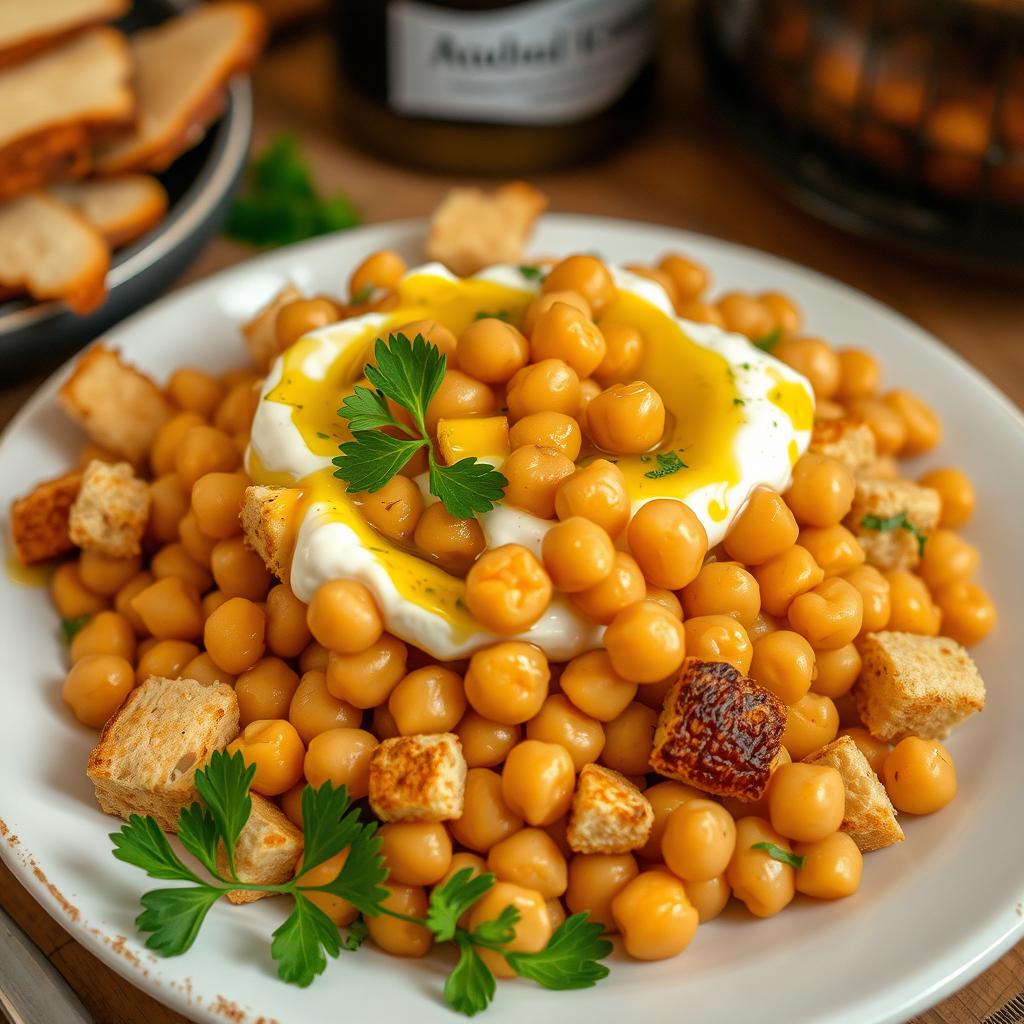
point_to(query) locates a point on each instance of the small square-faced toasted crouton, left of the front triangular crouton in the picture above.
(418, 779)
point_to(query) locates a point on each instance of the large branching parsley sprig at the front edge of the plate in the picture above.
(209, 830)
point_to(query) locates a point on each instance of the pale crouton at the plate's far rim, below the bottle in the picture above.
(473, 230)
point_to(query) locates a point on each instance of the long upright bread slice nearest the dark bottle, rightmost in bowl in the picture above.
(183, 69)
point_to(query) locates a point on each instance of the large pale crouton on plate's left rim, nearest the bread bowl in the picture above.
(119, 408)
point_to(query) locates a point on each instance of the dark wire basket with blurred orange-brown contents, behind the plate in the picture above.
(902, 119)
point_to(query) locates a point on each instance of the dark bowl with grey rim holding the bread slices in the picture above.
(200, 186)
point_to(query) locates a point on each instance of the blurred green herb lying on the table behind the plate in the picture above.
(281, 204)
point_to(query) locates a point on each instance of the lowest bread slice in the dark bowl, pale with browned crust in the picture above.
(48, 250)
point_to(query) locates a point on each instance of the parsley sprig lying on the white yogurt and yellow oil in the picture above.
(408, 373)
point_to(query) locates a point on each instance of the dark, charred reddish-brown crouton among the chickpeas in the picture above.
(718, 732)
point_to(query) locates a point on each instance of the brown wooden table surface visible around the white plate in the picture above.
(686, 173)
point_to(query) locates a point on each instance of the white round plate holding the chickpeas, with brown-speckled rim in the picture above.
(931, 913)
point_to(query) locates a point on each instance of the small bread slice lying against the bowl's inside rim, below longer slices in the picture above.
(121, 209)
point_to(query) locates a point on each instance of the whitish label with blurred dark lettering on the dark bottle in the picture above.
(546, 62)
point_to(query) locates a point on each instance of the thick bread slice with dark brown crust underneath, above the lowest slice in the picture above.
(57, 107)
